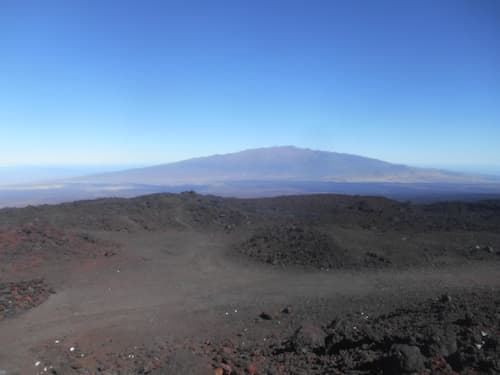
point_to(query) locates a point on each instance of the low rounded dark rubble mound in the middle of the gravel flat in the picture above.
(294, 245)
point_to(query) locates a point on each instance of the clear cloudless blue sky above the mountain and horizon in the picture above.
(146, 82)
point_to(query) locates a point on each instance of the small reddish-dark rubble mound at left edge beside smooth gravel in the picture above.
(16, 297)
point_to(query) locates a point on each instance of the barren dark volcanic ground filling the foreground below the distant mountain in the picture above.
(191, 284)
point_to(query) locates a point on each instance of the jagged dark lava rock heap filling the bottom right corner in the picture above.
(455, 334)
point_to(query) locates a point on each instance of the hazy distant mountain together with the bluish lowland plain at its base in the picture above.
(265, 172)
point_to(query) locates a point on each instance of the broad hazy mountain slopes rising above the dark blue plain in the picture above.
(279, 164)
